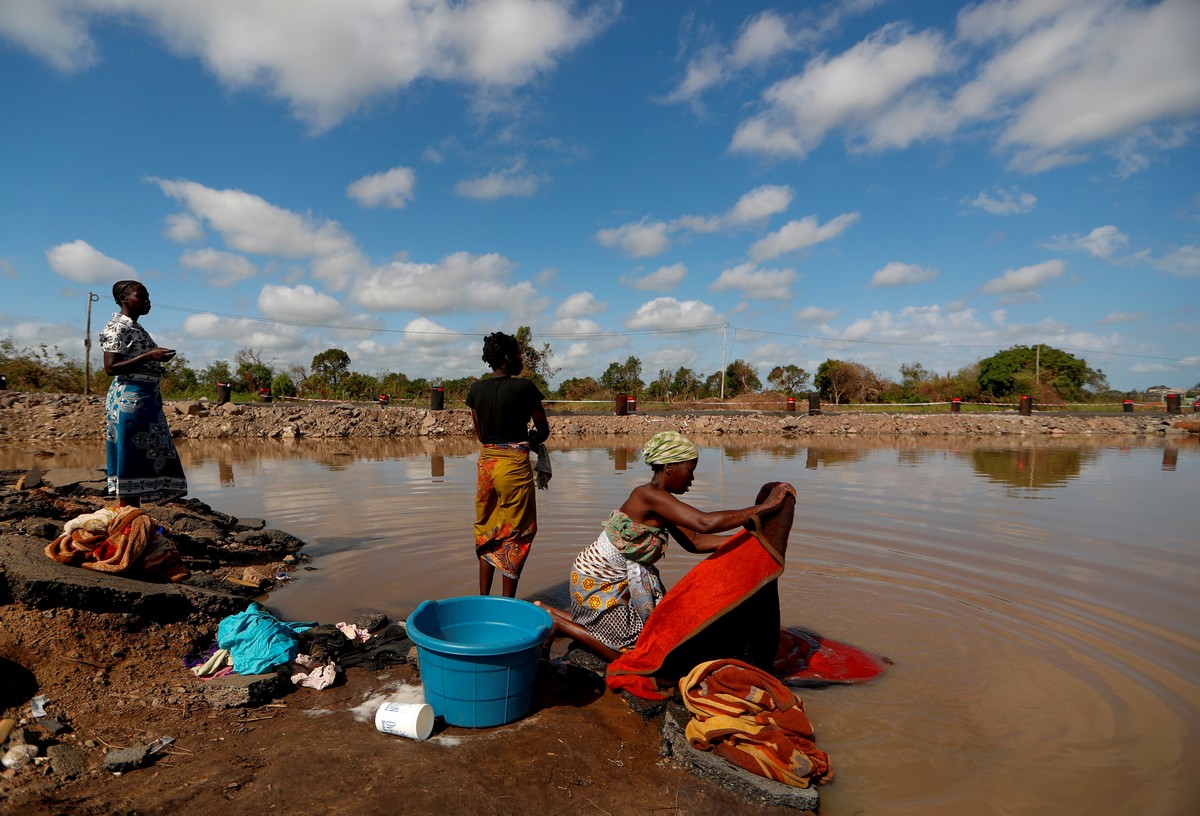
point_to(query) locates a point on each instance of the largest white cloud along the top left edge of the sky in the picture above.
(327, 59)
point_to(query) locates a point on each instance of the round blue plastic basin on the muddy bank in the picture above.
(479, 657)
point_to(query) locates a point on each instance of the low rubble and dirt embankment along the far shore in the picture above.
(49, 417)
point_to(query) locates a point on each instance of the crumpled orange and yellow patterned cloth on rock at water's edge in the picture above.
(749, 718)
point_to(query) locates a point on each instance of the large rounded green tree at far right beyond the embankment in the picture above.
(1031, 369)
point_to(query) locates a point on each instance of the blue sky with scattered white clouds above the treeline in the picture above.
(688, 183)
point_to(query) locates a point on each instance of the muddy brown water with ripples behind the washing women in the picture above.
(1040, 599)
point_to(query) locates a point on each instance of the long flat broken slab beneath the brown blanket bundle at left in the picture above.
(29, 577)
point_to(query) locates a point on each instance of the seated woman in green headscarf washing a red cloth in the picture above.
(615, 585)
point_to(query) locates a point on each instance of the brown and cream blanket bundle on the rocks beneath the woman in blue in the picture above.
(119, 541)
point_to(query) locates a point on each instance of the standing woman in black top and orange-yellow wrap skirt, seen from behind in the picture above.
(502, 407)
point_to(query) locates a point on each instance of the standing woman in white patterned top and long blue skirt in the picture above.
(141, 455)
